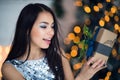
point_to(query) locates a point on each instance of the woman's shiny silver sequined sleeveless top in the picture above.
(34, 69)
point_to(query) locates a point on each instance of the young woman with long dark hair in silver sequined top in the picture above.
(35, 53)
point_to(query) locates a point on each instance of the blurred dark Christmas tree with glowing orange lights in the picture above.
(89, 14)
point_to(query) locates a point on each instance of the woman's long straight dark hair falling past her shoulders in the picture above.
(21, 42)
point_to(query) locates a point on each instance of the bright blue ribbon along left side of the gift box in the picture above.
(91, 44)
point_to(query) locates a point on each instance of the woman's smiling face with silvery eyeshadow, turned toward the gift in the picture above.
(42, 31)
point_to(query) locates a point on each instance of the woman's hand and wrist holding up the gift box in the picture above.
(90, 68)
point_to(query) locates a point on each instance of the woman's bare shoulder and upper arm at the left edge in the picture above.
(9, 72)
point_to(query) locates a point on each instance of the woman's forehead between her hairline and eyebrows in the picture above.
(45, 17)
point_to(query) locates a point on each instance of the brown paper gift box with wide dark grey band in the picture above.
(105, 40)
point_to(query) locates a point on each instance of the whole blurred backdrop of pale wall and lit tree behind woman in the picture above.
(78, 20)
